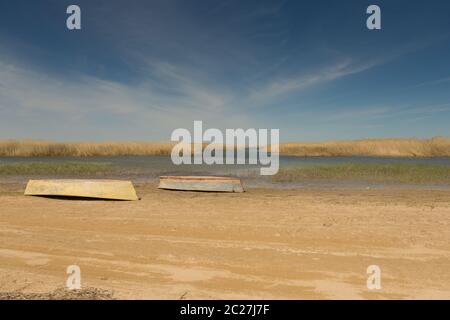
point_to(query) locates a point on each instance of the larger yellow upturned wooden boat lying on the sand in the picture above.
(99, 189)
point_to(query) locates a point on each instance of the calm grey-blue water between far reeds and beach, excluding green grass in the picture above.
(149, 168)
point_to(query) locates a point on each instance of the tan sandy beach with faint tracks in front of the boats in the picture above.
(263, 244)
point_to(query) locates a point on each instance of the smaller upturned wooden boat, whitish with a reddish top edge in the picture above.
(201, 183)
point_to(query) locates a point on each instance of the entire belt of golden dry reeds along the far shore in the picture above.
(435, 147)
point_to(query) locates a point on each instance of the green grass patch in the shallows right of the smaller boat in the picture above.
(396, 173)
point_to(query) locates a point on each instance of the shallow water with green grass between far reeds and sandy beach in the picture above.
(293, 172)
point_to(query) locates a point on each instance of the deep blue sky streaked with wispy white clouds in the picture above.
(140, 69)
